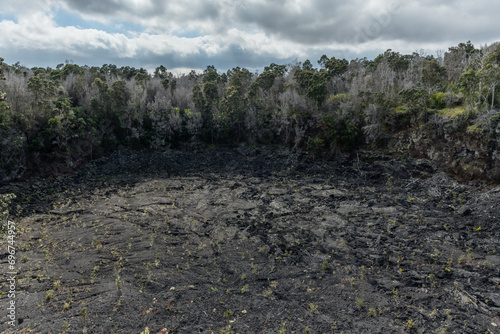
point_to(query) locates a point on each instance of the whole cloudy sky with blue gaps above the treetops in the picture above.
(184, 35)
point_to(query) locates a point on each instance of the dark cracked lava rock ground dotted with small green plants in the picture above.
(255, 240)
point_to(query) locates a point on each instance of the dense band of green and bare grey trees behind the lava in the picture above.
(58, 118)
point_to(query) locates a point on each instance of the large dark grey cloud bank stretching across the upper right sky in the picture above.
(310, 22)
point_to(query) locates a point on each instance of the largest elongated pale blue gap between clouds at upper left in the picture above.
(65, 19)
